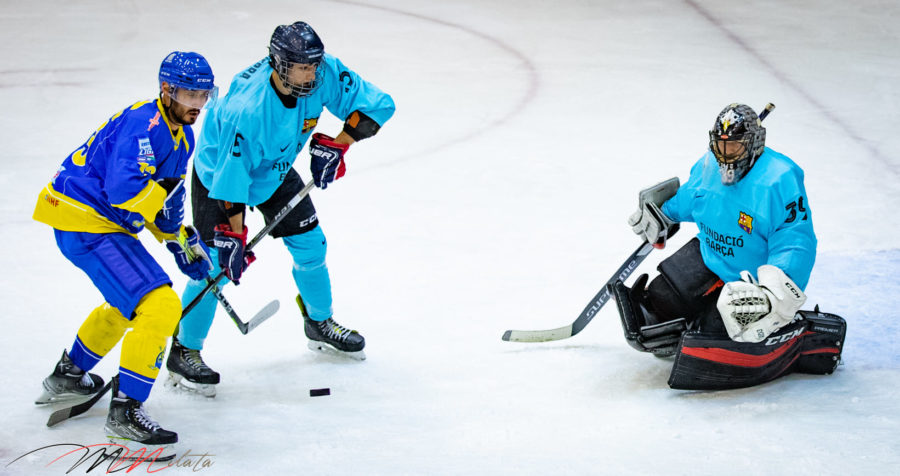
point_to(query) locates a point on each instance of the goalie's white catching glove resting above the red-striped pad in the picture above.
(752, 310)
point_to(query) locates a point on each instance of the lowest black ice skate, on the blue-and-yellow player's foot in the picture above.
(129, 425)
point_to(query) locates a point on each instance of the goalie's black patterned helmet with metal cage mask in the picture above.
(737, 139)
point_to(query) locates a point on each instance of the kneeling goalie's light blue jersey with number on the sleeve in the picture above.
(762, 219)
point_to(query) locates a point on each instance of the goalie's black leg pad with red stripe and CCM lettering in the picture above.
(811, 344)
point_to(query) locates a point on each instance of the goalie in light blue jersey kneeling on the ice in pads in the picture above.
(737, 287)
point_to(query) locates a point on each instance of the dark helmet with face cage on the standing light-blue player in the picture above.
(293, 44)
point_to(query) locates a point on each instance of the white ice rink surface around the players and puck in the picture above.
(495, 199)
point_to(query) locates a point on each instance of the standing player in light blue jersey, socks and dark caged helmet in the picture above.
(245, 158)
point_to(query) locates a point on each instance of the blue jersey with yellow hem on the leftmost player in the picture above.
(108, 184)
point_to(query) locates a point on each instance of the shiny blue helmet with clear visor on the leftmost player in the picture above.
(190, 78)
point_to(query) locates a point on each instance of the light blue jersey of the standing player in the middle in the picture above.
(250, 139)
